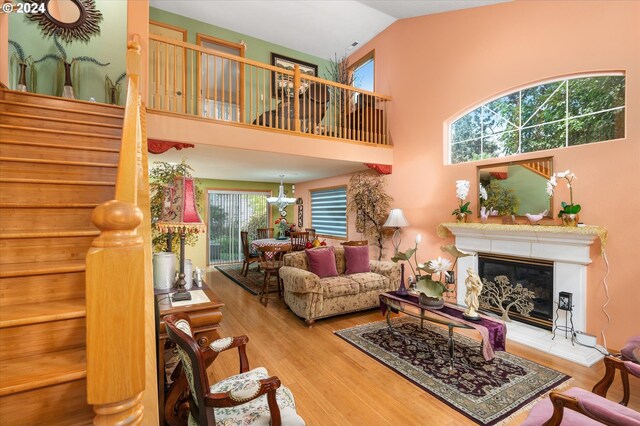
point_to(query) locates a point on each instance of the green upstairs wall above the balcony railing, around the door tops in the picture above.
(257, 50)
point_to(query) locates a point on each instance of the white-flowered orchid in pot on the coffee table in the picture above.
(424, 272)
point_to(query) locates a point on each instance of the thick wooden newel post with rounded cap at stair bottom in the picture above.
(115, 316)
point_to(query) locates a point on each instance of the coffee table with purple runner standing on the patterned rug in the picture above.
(409, 305)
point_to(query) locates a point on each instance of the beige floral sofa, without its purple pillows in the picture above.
(311, 297)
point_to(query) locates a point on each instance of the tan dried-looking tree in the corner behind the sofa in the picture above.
(370, 203)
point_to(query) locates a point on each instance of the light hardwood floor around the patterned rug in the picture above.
(335, 383)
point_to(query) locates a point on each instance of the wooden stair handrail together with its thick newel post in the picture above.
(118, 278)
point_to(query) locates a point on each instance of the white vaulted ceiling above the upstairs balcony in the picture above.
(318, 27)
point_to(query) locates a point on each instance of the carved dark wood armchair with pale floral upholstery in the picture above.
(251, 397)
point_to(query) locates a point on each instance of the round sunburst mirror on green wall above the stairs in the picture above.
(70, 19)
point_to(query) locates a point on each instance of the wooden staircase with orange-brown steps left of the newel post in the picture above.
(58, 161)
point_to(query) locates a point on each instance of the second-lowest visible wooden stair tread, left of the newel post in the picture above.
(36, 313)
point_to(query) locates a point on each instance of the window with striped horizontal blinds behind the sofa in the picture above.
(329, 211)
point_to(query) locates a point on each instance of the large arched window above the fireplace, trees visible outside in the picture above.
(572, 111)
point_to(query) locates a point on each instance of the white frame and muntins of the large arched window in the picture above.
(564, 80)
